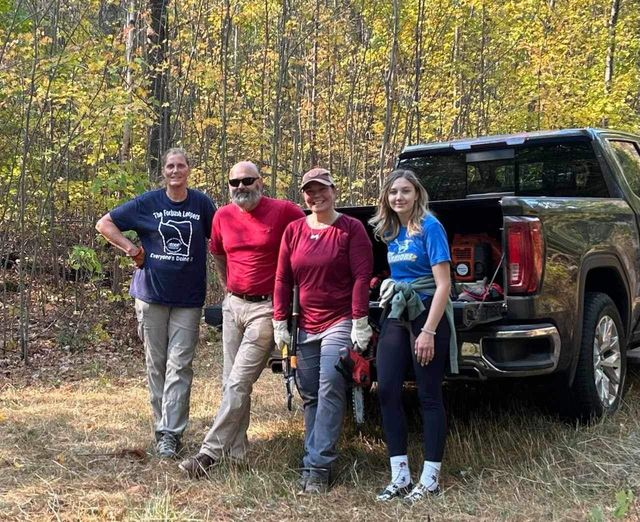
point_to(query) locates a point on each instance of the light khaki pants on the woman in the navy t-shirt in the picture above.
(170, 336)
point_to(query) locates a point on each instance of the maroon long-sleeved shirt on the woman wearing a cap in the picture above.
(331, 266)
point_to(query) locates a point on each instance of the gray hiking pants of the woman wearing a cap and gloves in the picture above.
(324, 393)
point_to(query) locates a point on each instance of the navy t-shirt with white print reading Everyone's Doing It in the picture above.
(174, 238)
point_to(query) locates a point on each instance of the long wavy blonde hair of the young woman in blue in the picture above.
(386, 223)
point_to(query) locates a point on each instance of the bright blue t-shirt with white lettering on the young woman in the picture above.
(411, 257)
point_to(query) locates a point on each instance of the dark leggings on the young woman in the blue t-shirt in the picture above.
(394, 358)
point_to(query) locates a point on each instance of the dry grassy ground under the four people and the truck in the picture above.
(79, 448)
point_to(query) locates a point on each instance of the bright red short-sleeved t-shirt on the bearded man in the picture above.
(250, 240)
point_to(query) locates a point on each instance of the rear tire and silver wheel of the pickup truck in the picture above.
(599, 381)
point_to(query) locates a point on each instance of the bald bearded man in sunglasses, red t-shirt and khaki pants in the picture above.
(245, 239)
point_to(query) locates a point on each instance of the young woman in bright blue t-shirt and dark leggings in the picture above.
(419, 258)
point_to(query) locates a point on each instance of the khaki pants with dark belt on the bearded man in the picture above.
(247, 338)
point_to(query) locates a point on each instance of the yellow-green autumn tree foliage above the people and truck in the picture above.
(483, 68)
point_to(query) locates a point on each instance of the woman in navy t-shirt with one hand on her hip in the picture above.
(169, 284)
